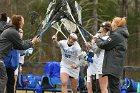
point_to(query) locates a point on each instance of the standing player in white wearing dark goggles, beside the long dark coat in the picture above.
(96, 66)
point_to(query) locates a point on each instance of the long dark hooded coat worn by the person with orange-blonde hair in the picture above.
(115, 50)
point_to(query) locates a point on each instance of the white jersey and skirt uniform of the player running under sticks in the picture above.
(70, 55)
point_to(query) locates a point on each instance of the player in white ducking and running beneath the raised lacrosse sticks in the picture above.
(71, 53)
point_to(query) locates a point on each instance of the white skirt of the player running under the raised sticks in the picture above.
(70, 71)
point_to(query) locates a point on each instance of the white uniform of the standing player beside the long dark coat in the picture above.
(95, 68)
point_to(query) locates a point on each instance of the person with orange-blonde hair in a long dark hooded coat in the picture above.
(115, 49)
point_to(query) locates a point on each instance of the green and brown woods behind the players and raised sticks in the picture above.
(93, 13)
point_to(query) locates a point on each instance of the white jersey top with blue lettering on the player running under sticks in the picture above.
(70, 54)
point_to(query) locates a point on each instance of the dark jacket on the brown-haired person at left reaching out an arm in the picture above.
(10, 39)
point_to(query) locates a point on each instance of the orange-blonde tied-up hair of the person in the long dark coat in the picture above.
(120, 21)
